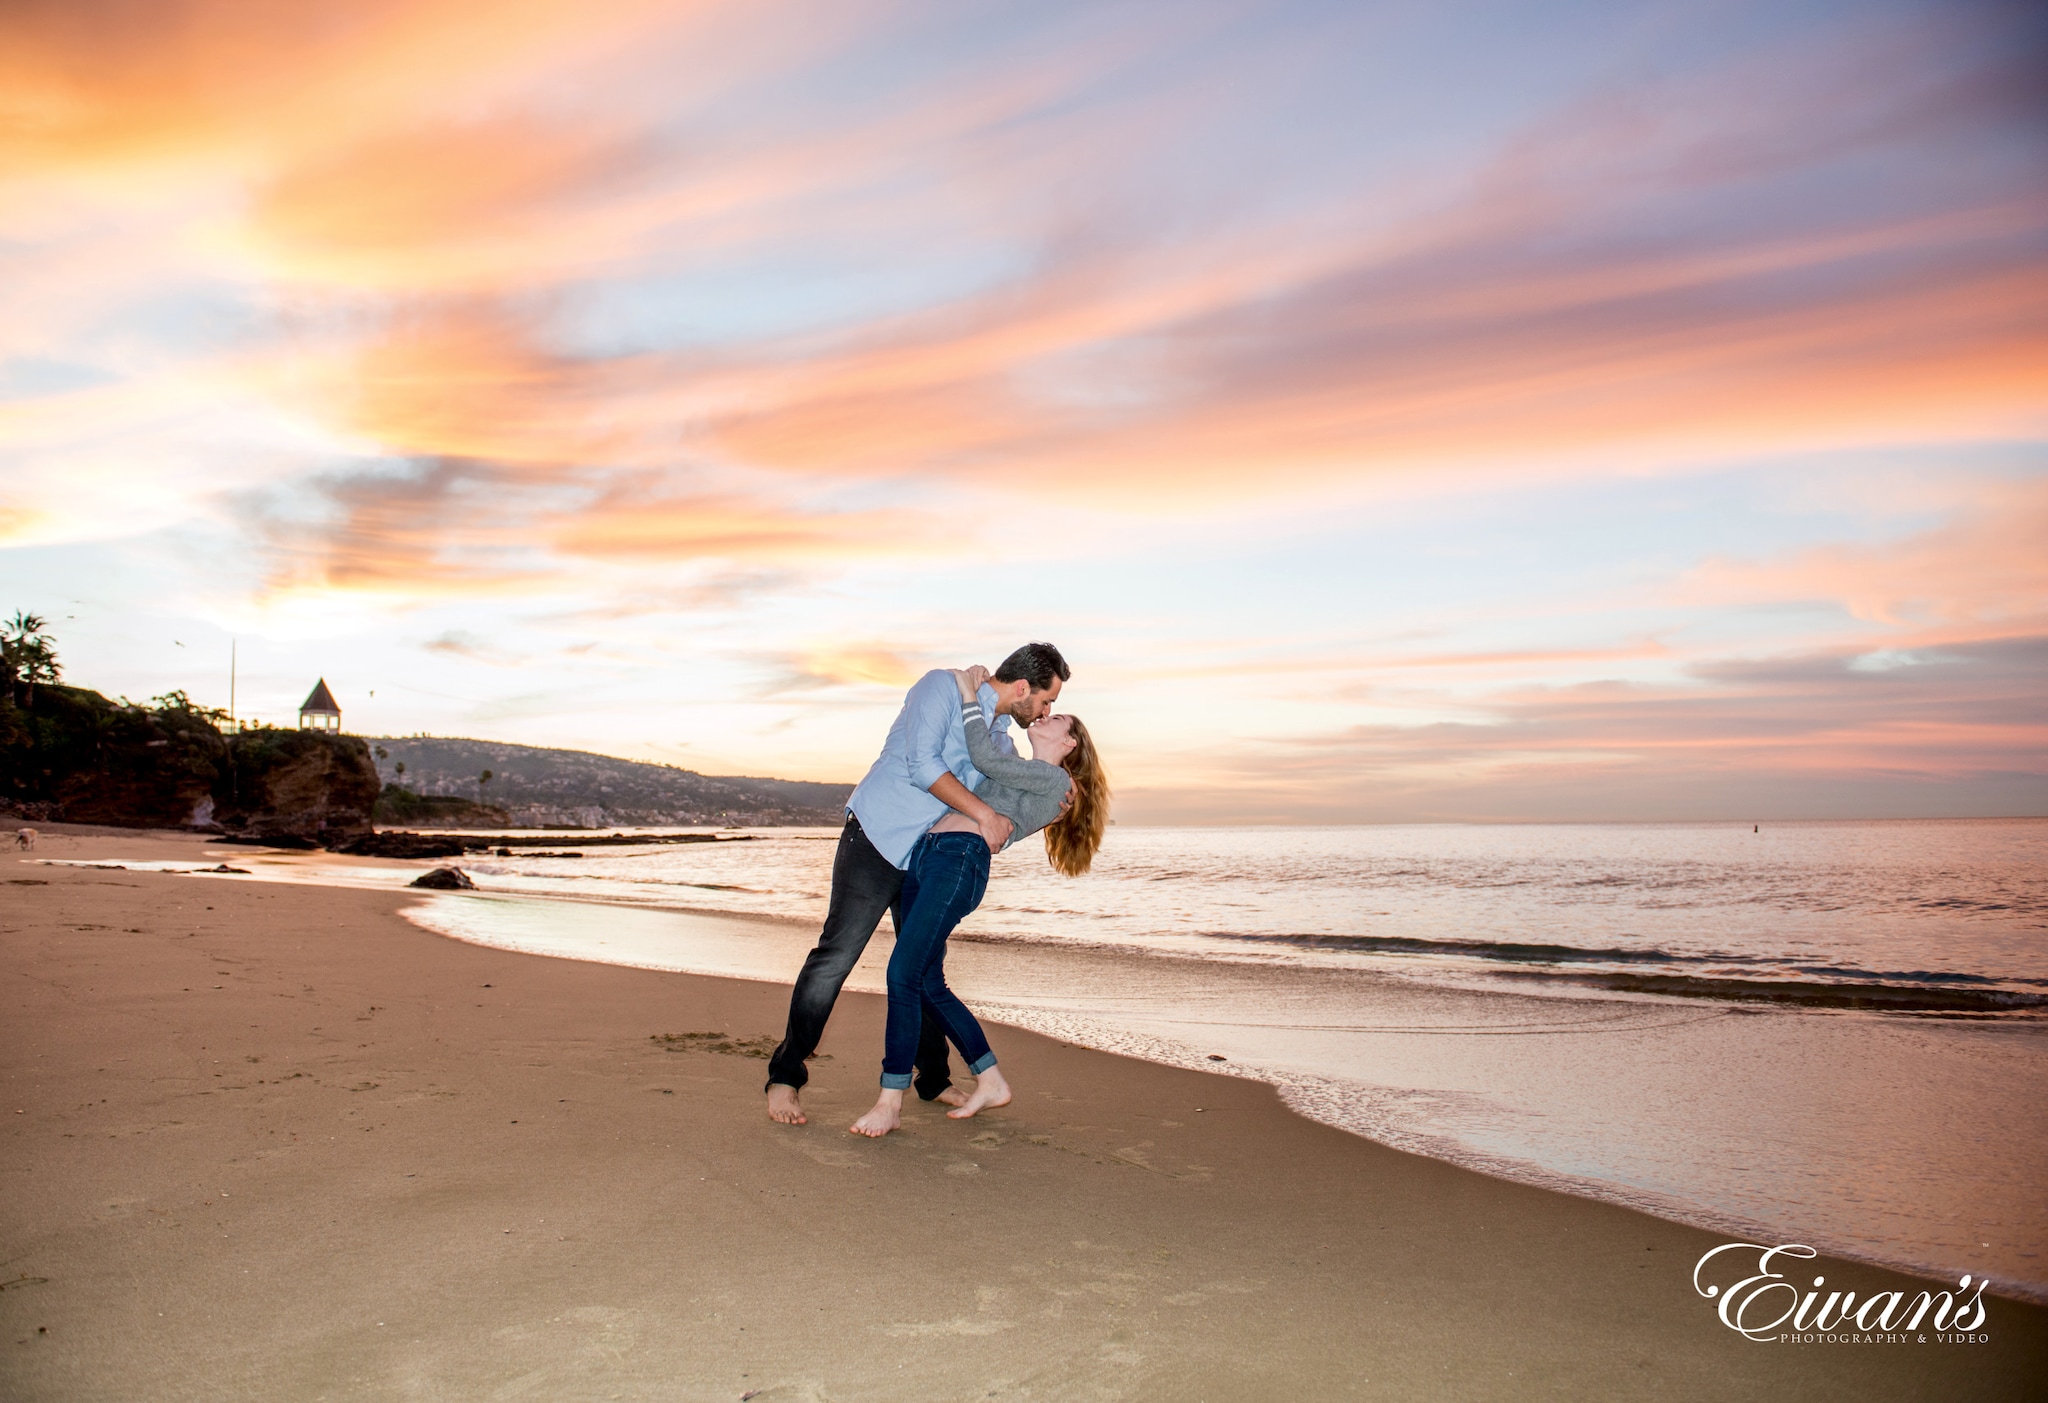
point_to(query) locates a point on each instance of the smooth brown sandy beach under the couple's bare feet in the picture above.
(280, 1144)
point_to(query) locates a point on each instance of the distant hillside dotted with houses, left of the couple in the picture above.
(577, 790)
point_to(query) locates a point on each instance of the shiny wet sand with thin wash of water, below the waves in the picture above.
(1834, 1128)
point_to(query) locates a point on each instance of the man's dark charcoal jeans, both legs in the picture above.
(863, 886)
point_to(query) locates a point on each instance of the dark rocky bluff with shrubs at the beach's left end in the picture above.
(83, 759)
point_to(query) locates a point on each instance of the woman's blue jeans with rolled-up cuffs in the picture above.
(945, 882)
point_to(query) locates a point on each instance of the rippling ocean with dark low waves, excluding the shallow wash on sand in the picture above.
(1908, 917)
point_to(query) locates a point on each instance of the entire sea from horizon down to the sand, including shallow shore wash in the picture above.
(1824, 1033)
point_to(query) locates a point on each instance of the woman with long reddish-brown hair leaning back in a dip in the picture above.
(949, 871)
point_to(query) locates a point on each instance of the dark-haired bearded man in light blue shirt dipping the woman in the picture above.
(921, 773)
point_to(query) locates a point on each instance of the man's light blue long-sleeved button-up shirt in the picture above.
(894, 802)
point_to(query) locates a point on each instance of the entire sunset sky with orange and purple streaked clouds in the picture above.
(1394, 411)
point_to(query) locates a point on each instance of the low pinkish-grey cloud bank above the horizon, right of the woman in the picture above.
(1809, 736)
